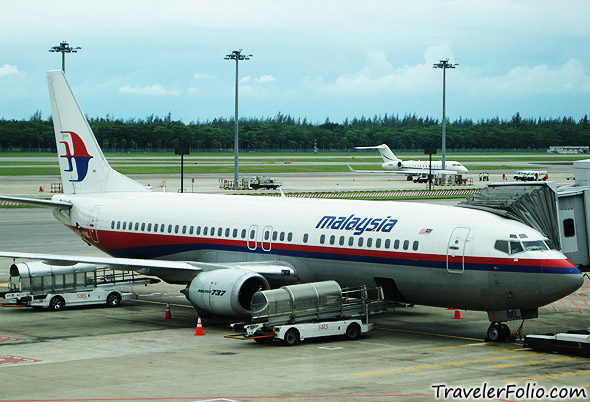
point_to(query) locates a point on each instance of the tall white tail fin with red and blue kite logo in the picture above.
(83, 167)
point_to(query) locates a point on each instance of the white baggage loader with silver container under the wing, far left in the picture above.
(36, 284)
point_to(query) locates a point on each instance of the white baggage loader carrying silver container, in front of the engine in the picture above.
(297, 312)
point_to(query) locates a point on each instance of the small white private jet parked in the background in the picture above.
(412, 168)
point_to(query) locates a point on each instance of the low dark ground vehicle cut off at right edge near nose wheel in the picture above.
(574, 342)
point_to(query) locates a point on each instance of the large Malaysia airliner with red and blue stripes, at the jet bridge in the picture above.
(223, 248)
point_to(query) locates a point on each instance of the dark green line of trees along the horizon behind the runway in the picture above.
(284, 133)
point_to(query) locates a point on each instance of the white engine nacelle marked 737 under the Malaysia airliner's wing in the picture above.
(226, 292)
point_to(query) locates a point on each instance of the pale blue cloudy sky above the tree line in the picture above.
(312, 59)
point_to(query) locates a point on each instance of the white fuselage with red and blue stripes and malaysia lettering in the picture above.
(426, 254)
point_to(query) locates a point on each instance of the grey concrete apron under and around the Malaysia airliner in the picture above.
(131, 353)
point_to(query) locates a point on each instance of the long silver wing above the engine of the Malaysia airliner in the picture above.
(170, 271)
